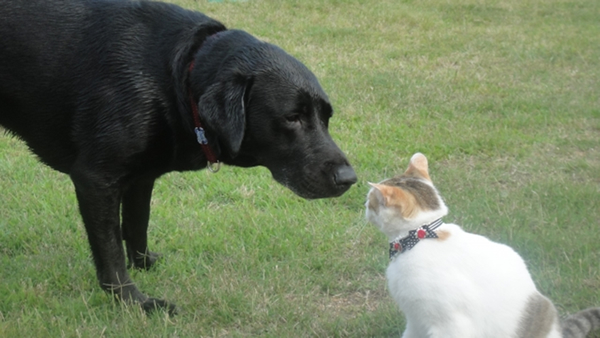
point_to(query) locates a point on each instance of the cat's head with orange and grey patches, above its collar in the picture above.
(405, 202)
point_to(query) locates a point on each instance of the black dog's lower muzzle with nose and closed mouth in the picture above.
(313, 183)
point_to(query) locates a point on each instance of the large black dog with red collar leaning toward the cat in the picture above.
(116, 93)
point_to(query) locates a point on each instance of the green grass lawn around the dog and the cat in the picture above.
(502, 96)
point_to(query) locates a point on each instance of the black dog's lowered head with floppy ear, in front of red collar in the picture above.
(266, 108)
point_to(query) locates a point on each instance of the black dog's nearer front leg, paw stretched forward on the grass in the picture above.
(99, 200)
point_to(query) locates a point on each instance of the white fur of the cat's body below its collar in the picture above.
(465, 276)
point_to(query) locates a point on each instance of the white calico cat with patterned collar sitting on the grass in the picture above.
(454, 284)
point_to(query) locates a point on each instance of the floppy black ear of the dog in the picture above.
(223, 109)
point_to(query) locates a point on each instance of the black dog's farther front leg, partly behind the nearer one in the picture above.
(136, 213)
